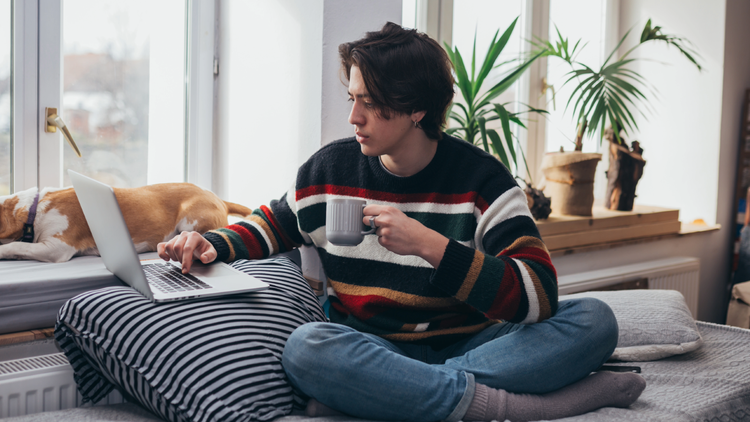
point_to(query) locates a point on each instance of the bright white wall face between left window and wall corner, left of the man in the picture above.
(268, 96)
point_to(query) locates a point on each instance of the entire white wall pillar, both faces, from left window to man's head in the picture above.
(273, 112)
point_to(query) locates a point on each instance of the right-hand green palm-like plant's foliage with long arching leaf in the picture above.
(614, 92)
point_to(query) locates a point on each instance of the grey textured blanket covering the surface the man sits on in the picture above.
(709, 384)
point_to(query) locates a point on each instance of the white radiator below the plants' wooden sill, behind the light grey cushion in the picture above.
(676, 273)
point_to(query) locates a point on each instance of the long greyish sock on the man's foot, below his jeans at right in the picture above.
(601, 389)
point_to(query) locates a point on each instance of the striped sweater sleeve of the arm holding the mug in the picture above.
(510, 275)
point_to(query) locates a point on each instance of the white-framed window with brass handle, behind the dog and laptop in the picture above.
(123, 76)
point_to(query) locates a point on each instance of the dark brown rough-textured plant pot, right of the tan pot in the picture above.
(625, 169)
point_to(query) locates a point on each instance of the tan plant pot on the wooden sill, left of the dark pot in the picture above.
(570, 181)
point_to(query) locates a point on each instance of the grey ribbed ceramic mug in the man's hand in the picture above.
(344, 221)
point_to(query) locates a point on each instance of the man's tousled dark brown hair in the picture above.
(404, 71)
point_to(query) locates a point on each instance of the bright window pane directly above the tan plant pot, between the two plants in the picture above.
(567, 16)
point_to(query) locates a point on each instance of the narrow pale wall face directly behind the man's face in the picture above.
(346, 20)
